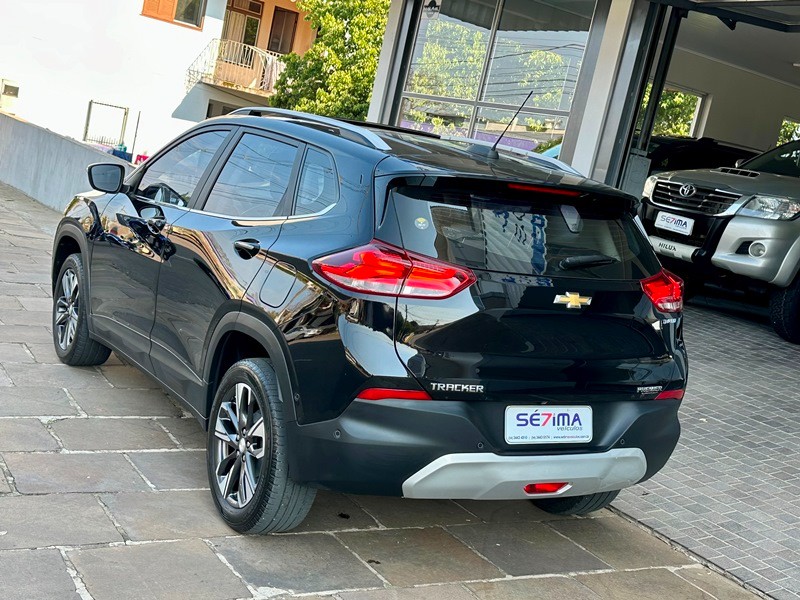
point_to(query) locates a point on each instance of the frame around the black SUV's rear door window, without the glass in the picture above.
(286, 204)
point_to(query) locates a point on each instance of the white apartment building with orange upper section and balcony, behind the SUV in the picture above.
(138, 72)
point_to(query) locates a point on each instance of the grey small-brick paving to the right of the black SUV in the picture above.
(731, 491)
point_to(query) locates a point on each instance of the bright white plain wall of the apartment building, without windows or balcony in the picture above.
(63, 53)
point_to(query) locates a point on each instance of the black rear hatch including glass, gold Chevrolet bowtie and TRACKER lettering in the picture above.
(557, 311)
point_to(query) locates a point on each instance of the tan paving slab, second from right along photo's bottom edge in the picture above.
(648, 584)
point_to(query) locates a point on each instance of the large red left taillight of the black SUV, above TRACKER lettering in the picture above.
(383, 269)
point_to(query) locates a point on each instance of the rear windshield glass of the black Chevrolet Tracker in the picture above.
(523, 233)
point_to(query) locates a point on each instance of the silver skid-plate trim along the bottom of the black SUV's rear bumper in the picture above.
(481, 476)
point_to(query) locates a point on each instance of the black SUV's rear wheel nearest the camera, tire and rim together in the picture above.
(276, 503)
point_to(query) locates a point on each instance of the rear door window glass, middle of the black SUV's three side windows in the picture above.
(254, 180)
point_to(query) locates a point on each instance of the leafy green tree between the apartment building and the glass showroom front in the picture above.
(336, 75)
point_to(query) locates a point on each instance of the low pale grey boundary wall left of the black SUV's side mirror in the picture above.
(46, 166)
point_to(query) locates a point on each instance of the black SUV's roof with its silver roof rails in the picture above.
(398, 151)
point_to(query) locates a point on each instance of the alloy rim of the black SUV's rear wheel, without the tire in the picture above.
(240, 445)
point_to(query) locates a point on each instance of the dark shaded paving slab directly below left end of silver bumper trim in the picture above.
(405, 512)
